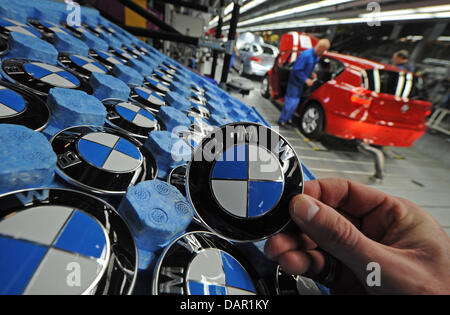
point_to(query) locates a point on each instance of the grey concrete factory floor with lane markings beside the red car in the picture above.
(411, 173)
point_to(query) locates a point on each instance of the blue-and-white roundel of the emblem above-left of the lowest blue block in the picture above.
(110, 152)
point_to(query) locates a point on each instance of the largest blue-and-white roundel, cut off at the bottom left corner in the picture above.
(42, 248)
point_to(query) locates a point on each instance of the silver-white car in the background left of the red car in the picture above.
(255, 59)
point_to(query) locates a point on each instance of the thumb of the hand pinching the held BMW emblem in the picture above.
(331, 231)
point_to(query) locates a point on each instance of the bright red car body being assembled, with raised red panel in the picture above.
(356, 105)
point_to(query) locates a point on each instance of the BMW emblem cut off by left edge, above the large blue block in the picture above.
(20, 107)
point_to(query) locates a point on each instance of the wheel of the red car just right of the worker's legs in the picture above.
(312, 121)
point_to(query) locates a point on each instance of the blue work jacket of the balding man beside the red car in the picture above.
(302, 70)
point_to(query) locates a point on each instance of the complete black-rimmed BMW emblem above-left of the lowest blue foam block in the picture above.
(101, 159)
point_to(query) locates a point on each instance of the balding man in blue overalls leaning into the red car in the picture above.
(300, 75)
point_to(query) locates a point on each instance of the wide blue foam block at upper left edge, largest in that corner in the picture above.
(29, 47)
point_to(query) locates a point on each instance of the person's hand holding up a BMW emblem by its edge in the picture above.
(412, 250)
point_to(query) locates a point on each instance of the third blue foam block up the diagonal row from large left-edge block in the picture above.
(107, 86)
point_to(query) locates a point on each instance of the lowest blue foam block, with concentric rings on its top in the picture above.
(156, 213)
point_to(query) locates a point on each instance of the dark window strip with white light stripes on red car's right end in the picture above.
(401, 84)
